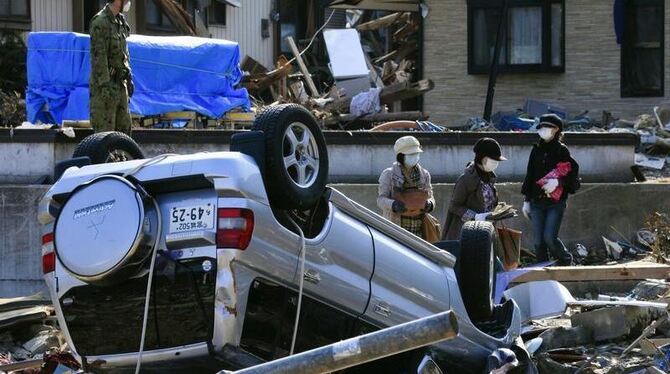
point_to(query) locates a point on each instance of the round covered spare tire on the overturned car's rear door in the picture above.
(105, 231)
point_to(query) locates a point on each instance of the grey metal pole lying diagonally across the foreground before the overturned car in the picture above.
(365, 348)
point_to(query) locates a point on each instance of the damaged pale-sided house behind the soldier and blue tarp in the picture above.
(246, 22)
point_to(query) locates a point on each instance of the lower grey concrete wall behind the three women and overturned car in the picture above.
(590, 214)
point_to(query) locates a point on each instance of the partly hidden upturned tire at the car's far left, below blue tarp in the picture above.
(109, 146)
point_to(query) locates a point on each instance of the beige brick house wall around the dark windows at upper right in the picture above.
(592, 67)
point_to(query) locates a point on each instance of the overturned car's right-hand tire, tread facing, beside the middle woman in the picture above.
(476, 269)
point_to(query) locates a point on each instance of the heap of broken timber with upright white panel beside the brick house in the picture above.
(371, 74)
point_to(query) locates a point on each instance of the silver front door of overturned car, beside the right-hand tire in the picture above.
(405, 284)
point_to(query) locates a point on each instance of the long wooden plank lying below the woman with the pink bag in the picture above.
(629, 271)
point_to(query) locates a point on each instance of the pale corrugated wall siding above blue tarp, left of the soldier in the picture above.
(51, 15)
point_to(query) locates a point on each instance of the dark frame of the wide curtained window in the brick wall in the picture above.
(545, 66)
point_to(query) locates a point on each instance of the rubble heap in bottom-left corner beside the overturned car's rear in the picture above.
(30, 338)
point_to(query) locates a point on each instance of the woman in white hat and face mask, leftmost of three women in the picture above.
(405, 192)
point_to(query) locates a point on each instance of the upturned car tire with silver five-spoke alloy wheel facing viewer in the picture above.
(295, 154)
